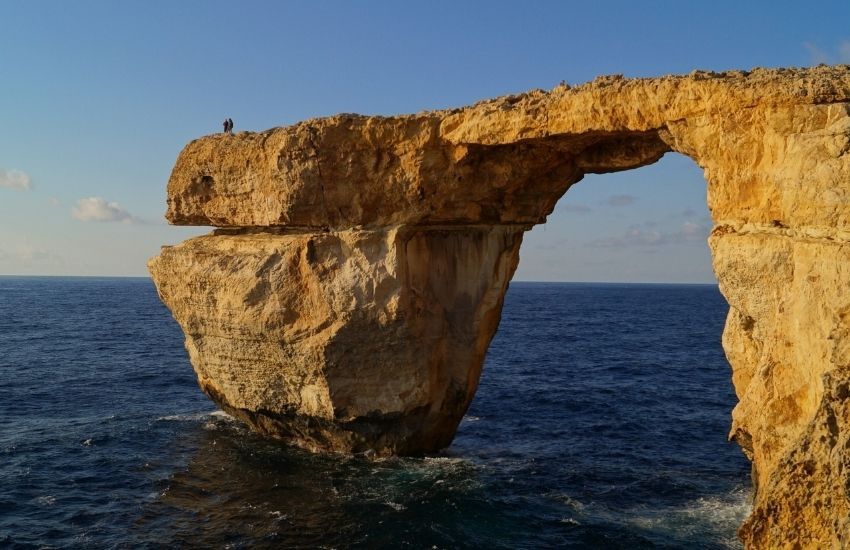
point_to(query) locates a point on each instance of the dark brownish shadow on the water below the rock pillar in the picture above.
(250, 491)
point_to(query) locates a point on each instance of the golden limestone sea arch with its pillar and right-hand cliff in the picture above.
(350, 296)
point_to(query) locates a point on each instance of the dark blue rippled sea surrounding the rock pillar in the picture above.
(600, 422)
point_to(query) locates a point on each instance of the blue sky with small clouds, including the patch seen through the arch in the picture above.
(98, 98)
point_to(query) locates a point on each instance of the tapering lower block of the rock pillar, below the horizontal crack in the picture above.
(345, 341)
